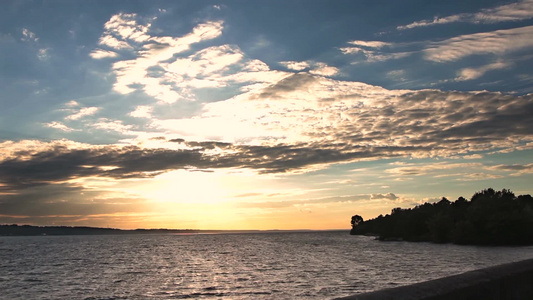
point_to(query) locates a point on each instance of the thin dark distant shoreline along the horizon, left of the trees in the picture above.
(31, 230)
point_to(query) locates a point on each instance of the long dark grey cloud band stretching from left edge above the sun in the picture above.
(60, 163)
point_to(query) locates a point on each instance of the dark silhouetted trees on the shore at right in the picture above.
(489, 218)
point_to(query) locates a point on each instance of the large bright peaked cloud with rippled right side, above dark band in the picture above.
(303, 108)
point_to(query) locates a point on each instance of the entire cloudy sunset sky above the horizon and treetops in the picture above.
(259, 114)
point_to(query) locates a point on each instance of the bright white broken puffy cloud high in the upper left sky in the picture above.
(162, 71)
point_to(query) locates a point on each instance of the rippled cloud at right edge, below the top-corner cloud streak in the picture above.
(496, 42)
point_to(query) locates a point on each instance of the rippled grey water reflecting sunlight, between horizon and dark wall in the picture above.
(311, 265)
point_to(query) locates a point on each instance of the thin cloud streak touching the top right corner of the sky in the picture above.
(518, 11)
